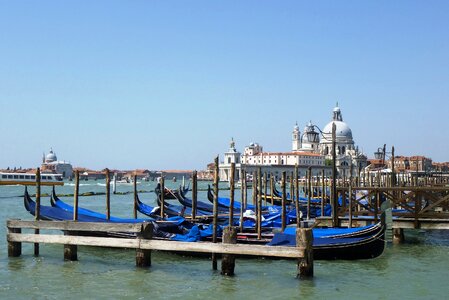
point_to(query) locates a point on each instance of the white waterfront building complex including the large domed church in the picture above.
(312, 148)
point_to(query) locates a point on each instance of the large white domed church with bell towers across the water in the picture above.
(321, 142)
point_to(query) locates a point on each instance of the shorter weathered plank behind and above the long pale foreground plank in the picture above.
(78, 226)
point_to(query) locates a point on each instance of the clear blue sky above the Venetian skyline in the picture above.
(166, 84)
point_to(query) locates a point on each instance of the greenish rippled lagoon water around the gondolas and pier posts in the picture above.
(417, 269)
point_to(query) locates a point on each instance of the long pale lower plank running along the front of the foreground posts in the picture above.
(162, 245)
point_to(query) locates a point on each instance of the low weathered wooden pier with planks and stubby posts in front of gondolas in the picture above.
(139, 236)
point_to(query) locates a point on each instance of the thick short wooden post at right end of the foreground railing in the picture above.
(304, 238)
